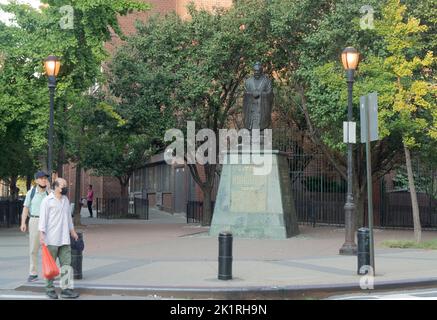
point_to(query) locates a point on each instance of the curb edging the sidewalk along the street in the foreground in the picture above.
(239, 293)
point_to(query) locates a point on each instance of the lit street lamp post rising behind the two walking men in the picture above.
(52, 66)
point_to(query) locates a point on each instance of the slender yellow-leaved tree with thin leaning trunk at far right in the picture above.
(414, 98)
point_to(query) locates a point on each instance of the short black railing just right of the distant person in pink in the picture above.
(122, 208)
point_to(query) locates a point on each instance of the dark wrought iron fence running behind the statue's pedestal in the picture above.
(320, 200)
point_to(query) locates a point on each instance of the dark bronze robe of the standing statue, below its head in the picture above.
(257, 112)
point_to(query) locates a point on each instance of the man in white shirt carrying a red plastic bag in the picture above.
(56, 226)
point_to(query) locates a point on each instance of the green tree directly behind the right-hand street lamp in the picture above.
(311, 68)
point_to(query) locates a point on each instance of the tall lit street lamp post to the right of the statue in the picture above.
(350, 59)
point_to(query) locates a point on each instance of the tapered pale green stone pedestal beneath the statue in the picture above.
(252, 205)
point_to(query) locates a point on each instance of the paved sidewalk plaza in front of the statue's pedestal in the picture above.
(167, 257)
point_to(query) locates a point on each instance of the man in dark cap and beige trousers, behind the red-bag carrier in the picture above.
(31, 210)
